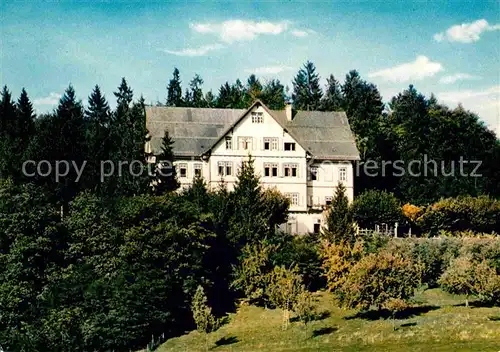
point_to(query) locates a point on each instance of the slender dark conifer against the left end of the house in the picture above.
(166, 179)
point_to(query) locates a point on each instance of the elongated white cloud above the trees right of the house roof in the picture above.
(419, 69)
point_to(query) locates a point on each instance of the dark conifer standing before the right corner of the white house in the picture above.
(339, 221)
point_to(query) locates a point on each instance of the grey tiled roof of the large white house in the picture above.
(325, 135)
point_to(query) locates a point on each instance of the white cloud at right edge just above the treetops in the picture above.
(485, 102)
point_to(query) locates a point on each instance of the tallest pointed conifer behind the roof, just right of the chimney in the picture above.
(306, 89)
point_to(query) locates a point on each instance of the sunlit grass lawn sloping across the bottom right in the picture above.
(438, 323)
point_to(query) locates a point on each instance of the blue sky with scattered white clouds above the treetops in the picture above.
(449, 48)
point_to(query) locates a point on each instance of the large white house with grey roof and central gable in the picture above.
(304, 156)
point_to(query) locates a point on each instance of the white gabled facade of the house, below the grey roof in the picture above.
(280, 161)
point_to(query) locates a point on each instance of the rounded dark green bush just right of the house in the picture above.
(376, 207)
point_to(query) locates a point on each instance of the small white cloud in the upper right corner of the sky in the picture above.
(466, 32)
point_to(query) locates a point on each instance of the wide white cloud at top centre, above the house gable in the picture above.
(239, 30)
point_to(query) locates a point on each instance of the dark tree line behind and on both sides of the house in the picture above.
(411, 128)
